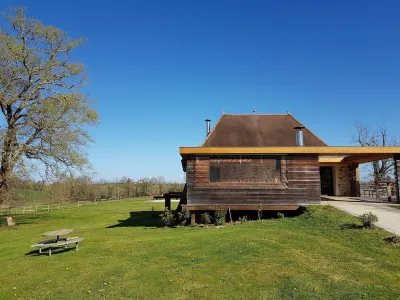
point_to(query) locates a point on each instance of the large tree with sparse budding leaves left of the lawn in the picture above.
(45, 114)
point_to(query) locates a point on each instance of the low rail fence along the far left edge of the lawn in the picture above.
(33, 209)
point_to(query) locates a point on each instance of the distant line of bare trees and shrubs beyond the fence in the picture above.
(85, 188)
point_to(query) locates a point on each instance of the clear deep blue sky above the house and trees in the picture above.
(159, 68)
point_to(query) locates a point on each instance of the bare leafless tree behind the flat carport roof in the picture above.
(380, 170)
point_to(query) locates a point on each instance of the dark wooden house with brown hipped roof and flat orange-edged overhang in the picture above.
(269, 162)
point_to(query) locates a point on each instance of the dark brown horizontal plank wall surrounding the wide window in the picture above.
(301, 172)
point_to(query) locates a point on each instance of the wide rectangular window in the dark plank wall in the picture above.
(247, 170)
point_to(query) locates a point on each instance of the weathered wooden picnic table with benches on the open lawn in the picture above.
(58, 242)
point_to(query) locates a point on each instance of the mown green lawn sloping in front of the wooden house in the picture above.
(306, 257)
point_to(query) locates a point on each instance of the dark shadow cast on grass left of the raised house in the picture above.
(140, 219)
